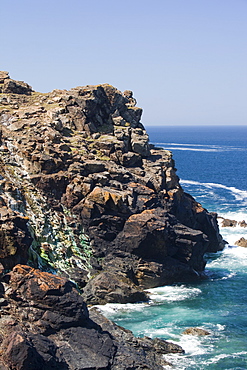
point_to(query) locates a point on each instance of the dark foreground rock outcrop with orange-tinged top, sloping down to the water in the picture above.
(45, 324)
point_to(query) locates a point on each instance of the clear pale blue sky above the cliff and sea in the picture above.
(185, 60)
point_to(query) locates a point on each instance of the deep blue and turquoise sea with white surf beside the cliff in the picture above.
(212, 166)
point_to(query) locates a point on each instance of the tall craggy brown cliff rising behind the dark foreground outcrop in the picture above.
(93, 188)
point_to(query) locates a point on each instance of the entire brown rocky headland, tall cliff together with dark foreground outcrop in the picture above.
(85, 196)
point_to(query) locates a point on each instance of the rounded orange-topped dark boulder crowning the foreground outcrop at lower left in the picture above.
(53, 301)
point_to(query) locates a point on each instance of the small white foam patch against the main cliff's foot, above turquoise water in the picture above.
(172, 293)
